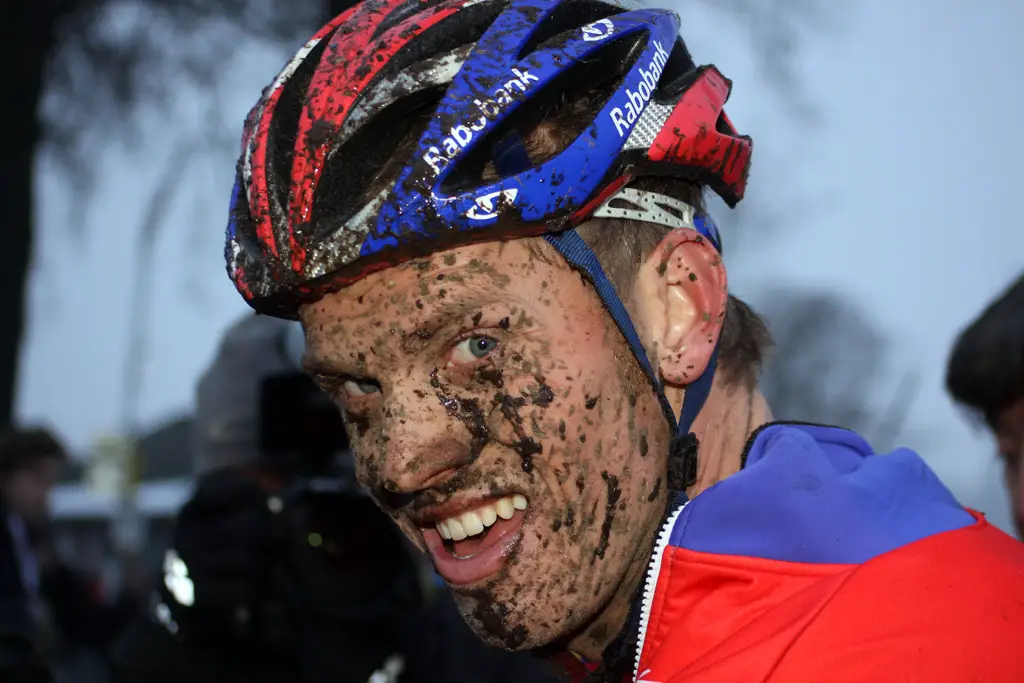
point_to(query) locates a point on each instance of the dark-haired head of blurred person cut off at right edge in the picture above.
(987, 374)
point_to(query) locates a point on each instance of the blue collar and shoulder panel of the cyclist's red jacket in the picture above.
(819, 495)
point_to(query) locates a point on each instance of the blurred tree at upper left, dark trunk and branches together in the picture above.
(98, 60)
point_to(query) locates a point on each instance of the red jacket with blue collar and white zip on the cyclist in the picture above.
(822, 562)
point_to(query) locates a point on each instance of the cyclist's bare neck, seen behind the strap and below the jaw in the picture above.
(730, 417)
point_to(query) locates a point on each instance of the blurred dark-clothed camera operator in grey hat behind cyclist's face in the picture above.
(282, 569)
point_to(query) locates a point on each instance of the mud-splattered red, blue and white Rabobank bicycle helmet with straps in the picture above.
(306, 217)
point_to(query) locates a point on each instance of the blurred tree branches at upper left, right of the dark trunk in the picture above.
(115, 55)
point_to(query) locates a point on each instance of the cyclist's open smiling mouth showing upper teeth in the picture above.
(474, 545)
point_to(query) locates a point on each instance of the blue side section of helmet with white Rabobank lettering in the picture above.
(493, 84)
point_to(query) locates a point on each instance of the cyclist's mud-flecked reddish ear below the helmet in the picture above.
(682, 292)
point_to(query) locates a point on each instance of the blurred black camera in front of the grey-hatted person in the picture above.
(343, 556)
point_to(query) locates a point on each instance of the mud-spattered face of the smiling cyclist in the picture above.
(499, 417)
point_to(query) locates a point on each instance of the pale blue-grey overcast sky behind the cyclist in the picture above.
(903, 196)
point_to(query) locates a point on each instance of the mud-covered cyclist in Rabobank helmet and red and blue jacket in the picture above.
(489, 218)
